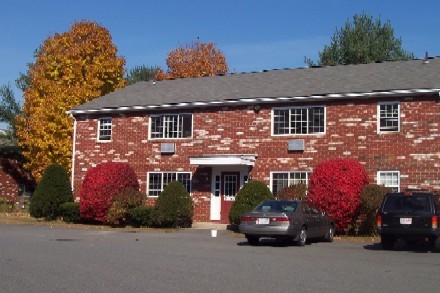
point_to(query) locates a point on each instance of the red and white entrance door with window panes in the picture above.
(230, 183)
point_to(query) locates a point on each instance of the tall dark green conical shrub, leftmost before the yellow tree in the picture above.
(53, 190)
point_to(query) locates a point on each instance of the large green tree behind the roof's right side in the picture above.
(364, 41)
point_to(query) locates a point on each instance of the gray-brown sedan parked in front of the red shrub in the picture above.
(295, 220)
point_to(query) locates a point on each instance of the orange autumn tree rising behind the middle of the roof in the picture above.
(195, 60)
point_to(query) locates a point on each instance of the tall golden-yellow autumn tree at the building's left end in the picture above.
(70, 69)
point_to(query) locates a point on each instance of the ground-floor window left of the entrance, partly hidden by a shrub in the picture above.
(158, 180)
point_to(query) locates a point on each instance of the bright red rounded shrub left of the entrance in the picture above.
(100, 185)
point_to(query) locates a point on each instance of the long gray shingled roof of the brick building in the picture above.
(333, 82)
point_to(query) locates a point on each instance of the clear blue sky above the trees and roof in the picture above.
(253, 34)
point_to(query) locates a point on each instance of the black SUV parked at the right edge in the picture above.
(409, 216)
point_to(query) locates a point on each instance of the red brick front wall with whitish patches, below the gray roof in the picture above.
(351, 132)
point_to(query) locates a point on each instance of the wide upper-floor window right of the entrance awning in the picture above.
(301, 120)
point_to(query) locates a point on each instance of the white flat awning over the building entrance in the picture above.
(216, 160)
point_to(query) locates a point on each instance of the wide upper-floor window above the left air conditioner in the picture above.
(171, 126)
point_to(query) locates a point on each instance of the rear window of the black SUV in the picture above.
(407, 203)
